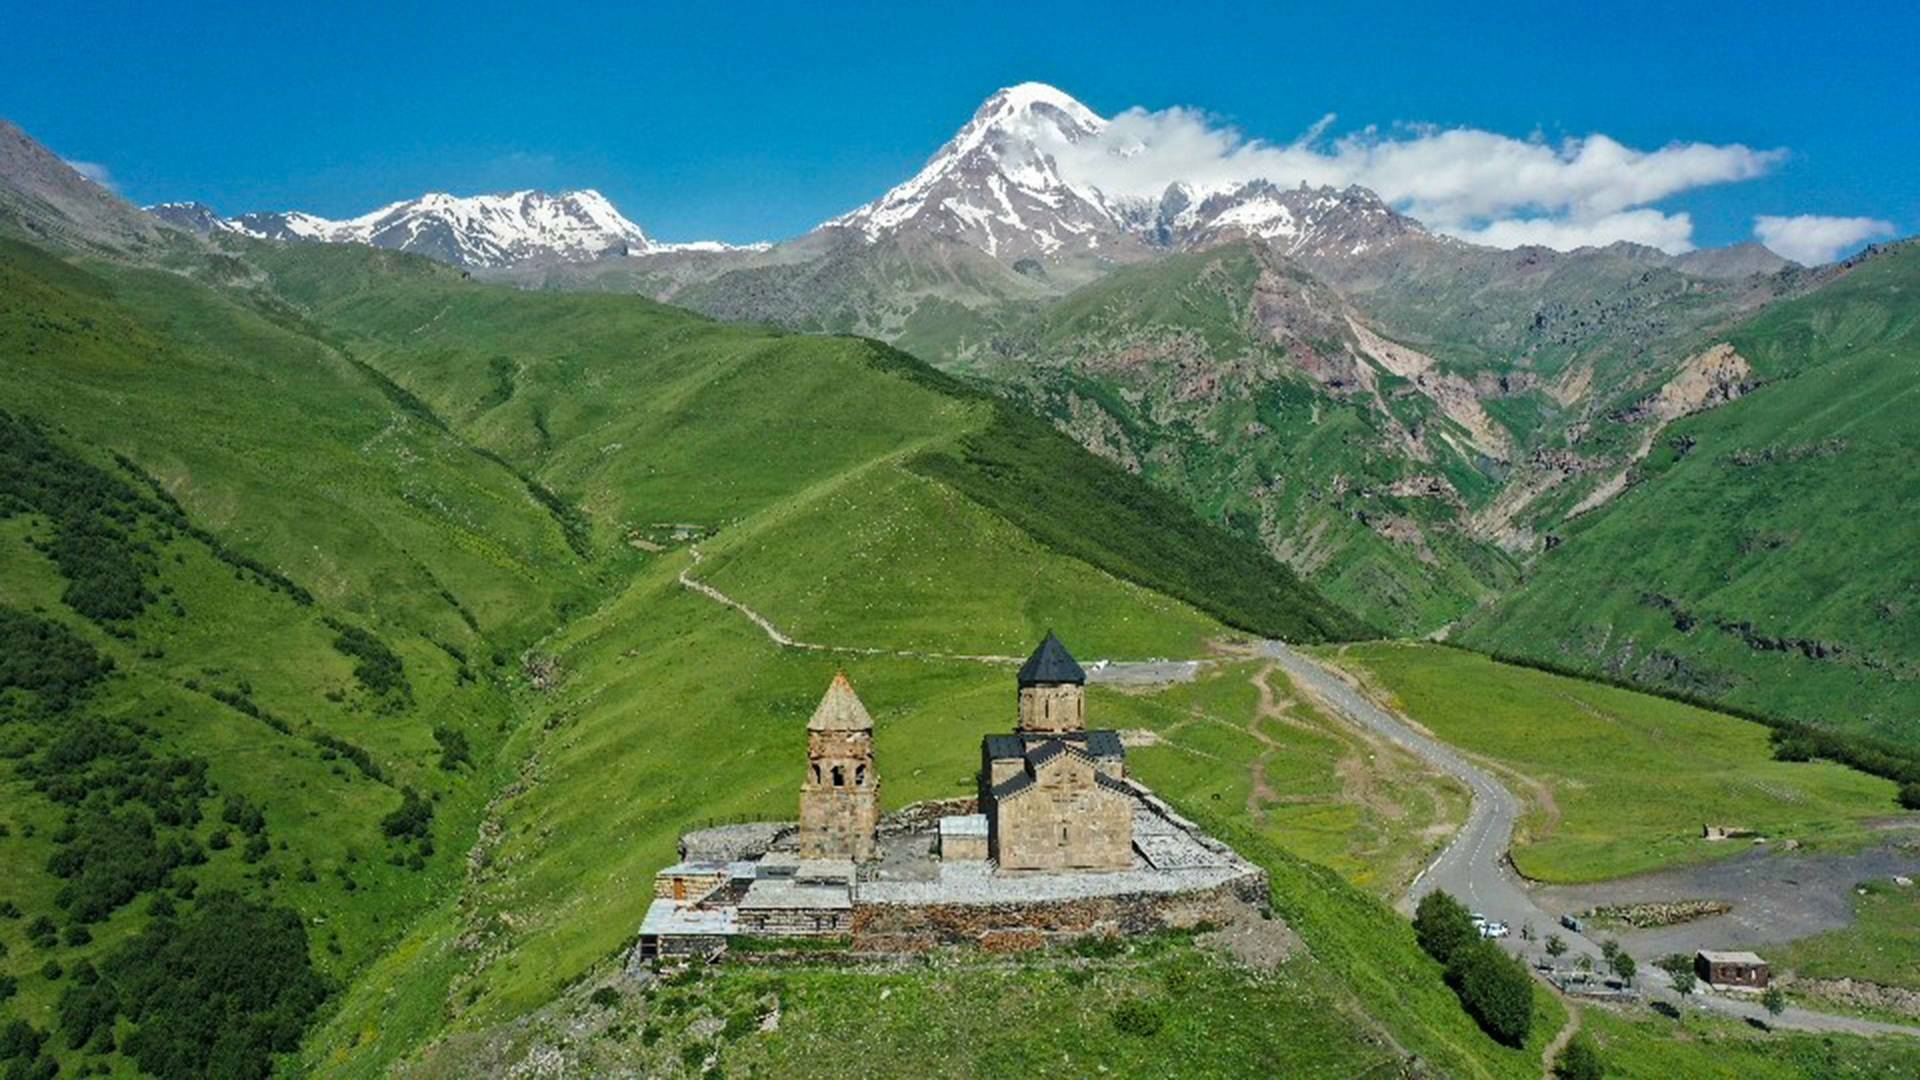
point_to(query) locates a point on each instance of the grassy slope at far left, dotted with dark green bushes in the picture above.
(293, 458)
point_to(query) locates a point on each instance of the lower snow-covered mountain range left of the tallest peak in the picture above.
(469, 232)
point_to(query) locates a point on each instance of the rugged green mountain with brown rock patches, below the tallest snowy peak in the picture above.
(1164, 366)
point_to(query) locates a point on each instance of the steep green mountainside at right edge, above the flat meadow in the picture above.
(1783, 531)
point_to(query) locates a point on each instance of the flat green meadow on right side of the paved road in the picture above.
(1627, 779)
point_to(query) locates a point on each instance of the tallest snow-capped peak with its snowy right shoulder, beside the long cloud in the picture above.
(999, 187)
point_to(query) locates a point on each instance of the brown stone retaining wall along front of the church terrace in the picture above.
(1015, 927)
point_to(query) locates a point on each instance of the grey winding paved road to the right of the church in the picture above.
(1474, 866)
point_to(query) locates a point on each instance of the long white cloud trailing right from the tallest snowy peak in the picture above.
(1464, 182)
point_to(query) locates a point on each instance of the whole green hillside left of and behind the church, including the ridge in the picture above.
(287, 558)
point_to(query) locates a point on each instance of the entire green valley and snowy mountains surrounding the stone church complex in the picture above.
(385, 599)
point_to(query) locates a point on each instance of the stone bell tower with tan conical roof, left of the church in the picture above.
(840, 798)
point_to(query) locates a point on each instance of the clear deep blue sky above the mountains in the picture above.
(748, 122)
